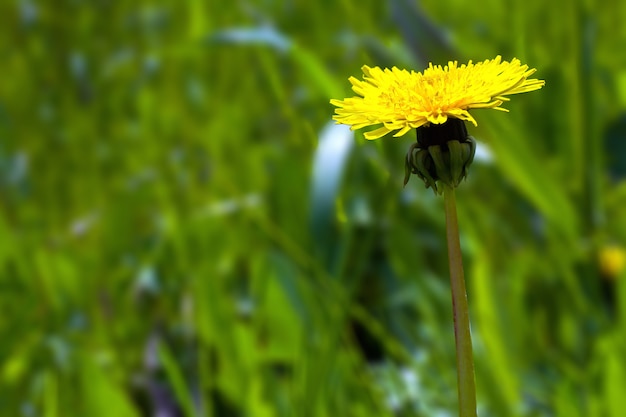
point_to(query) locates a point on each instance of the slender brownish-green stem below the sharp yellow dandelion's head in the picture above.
(460, 311)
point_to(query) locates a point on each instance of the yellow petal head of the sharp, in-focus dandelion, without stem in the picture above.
(400, 100)
